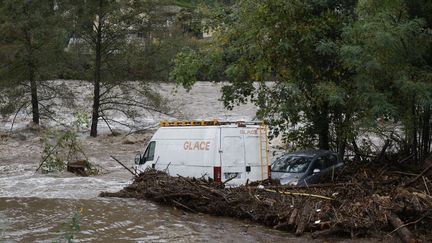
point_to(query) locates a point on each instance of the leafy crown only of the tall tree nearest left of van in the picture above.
(135, 43)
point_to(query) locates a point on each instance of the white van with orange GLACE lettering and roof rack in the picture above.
(217, 150)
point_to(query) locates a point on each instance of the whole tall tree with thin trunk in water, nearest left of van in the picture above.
(122, 41)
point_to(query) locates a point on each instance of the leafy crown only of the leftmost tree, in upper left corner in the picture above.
(31, 39)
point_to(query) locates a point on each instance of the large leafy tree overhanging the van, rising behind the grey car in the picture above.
(297, 44)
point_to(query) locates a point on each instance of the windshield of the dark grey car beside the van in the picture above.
(292, 164)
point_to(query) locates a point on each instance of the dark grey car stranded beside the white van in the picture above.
(304, 167)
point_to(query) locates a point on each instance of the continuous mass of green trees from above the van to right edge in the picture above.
(338, 66)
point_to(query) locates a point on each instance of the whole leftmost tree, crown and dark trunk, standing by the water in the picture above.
(30, 49)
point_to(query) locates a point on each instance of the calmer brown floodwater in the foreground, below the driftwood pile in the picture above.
(107, 220)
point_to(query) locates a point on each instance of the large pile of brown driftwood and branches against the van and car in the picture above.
(361, 201)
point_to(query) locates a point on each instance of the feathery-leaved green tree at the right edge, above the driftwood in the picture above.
(390, 49)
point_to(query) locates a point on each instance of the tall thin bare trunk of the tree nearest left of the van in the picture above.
(97, 80)
